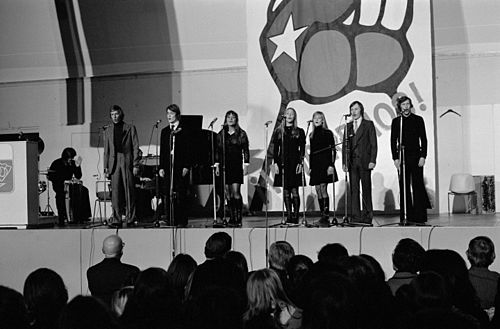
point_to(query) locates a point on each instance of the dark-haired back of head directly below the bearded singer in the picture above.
(407, 256)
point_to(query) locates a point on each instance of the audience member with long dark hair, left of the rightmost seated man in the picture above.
(451, 266)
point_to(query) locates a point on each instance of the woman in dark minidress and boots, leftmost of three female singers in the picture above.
(232, 149)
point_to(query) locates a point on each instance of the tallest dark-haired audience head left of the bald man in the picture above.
(45, 295)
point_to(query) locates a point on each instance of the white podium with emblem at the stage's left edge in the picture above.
(18, 184)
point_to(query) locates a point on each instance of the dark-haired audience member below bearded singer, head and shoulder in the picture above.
(406, 260)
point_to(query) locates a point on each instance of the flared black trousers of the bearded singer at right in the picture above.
(417, 200)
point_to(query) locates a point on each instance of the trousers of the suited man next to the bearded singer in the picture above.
(356, 174)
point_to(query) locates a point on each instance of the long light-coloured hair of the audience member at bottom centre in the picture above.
(264, 289)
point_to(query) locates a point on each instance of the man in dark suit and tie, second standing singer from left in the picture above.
(175, 137)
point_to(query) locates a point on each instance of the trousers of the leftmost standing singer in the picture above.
(123, 190)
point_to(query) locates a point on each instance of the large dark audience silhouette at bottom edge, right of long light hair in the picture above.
(331, 301)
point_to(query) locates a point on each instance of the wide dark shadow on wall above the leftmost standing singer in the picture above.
(130, 48)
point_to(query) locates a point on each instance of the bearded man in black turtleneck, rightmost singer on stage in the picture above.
(415, 149)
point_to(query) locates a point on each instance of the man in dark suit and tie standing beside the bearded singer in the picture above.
(359, 158)
